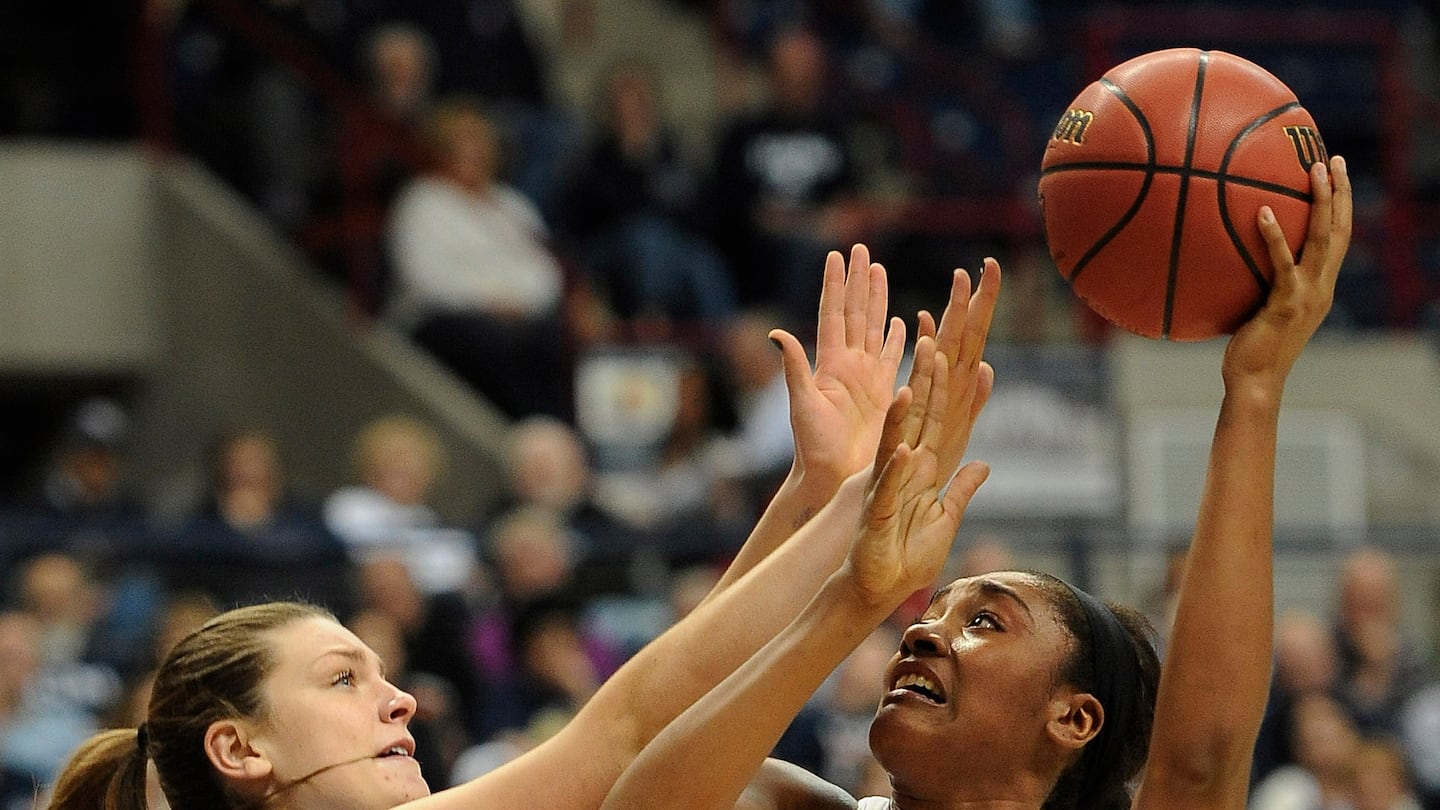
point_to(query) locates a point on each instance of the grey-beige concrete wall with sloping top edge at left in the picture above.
(122, 267)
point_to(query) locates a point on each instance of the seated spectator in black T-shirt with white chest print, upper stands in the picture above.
(783, 181)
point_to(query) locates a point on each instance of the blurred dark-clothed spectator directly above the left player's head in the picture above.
(251, 538)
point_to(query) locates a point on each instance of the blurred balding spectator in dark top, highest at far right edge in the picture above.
(1380, 667)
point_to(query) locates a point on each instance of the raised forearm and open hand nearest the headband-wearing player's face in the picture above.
(708, 757)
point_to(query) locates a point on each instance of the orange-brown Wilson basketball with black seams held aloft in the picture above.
(1153, 181)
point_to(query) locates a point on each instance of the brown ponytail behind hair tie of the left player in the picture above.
(106, 773)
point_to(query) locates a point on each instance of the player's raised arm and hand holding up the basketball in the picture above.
(1218, 669)
